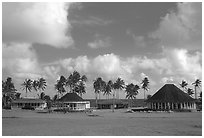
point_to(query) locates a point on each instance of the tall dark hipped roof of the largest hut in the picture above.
(170, 93)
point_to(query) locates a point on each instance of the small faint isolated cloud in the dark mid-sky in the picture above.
(100, 42)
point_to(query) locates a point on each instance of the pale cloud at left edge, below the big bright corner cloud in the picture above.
(20, 60)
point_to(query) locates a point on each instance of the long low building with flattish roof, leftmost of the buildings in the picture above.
(19, 103)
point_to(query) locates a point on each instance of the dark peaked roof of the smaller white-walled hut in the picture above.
(71, 97)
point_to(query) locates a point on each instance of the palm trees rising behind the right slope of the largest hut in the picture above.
(190, 91)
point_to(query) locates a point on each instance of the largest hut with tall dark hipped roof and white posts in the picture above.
(170, 97)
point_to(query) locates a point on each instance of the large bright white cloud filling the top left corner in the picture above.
(44, 23)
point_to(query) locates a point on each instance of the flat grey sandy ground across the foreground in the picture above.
(107, 123)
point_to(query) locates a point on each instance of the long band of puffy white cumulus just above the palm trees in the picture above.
(175, 63)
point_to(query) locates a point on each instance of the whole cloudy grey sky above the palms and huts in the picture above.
(161, 41)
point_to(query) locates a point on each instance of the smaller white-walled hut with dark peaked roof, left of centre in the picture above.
(73, 102)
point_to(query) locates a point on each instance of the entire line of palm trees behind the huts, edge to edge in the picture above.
(76, 83)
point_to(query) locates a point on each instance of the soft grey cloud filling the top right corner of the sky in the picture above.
(182, 28)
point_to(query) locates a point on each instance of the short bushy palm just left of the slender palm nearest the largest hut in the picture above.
(132, 91)
